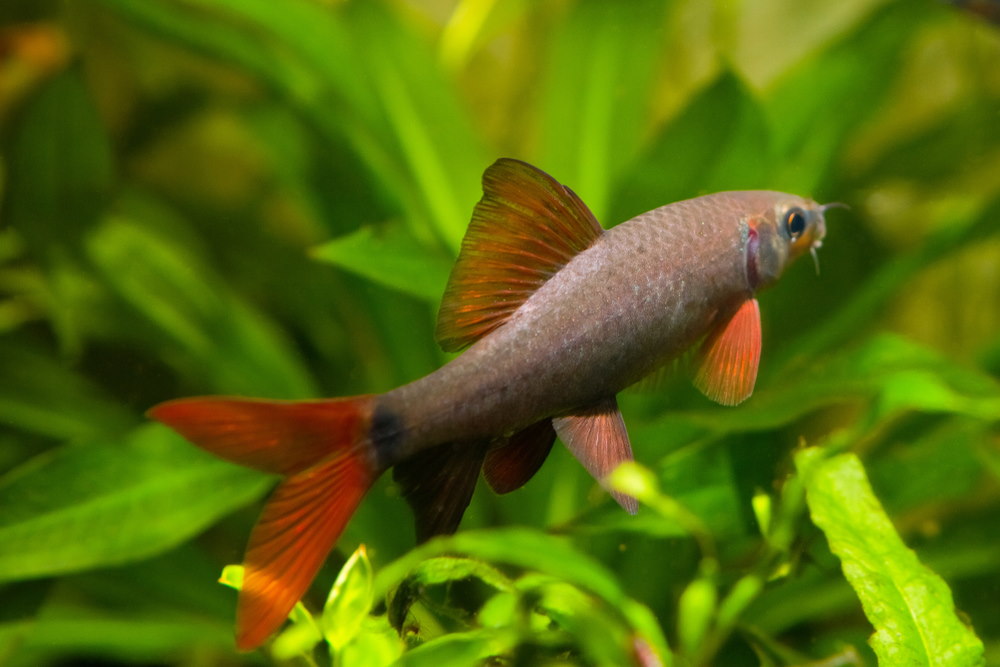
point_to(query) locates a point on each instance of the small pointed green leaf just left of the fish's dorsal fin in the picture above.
(387, 256)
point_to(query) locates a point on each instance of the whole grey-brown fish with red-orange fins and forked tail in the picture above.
(553, 316)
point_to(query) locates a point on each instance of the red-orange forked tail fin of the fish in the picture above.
(323, 449)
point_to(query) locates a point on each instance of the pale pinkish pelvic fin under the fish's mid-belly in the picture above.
(598, 439)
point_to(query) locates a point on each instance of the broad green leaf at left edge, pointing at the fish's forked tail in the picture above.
(85, 506)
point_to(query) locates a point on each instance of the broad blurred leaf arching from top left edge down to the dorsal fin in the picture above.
(391, 104)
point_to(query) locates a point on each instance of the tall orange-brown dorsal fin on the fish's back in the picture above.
(524, 229)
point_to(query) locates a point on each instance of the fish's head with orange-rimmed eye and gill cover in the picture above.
(783, 229)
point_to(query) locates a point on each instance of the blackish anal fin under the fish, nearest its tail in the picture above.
(438, 484)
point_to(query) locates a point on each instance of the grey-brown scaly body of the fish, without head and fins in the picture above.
(643, 294)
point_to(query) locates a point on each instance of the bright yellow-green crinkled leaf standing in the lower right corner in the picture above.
(910, 606)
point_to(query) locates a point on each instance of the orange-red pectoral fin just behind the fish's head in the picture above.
(727, 363)
